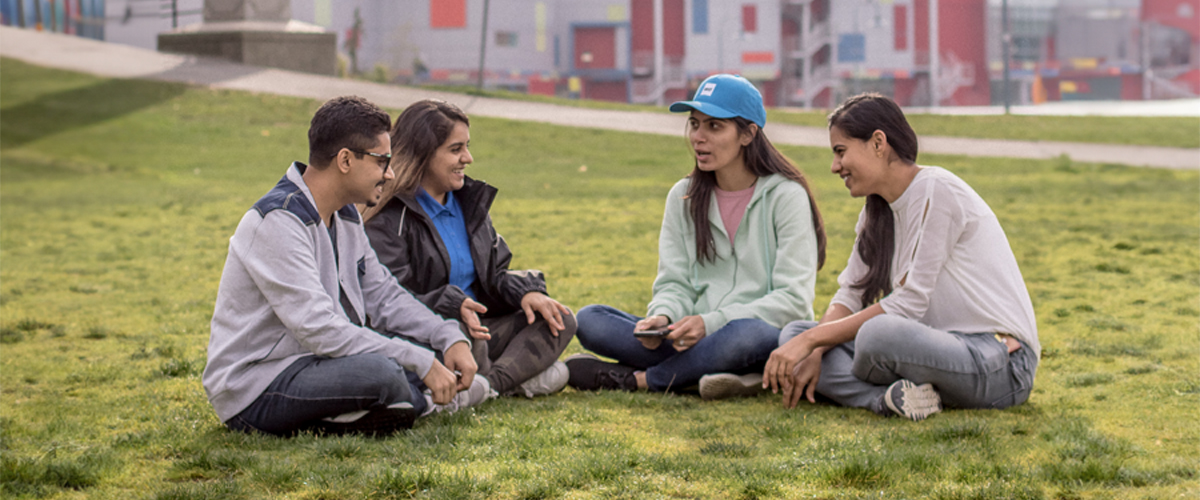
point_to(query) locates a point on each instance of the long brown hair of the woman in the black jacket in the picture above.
(419, 131)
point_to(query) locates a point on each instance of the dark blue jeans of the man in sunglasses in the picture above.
(316, 388)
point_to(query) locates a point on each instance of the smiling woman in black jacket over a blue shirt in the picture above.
(435, 234)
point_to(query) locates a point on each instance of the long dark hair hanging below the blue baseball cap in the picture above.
(763, 159)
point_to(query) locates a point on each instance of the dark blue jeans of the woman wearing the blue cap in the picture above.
(741, 346)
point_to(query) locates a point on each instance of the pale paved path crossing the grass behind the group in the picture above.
(122, 62)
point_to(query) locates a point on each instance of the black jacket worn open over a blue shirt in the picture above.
(409, 244)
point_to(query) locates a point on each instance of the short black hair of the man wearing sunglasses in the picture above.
(349, 122)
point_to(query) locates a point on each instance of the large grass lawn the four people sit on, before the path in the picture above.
(118, 198)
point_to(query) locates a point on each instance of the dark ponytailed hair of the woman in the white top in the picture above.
(860, 117)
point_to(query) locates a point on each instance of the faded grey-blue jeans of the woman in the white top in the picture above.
(968, 370)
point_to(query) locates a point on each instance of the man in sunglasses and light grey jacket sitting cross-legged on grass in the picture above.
(310, 330)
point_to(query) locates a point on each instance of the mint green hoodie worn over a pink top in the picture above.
(770, 273)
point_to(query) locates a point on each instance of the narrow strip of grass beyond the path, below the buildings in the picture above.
(1160, 131)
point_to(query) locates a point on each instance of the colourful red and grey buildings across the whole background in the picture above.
(801, 53)
